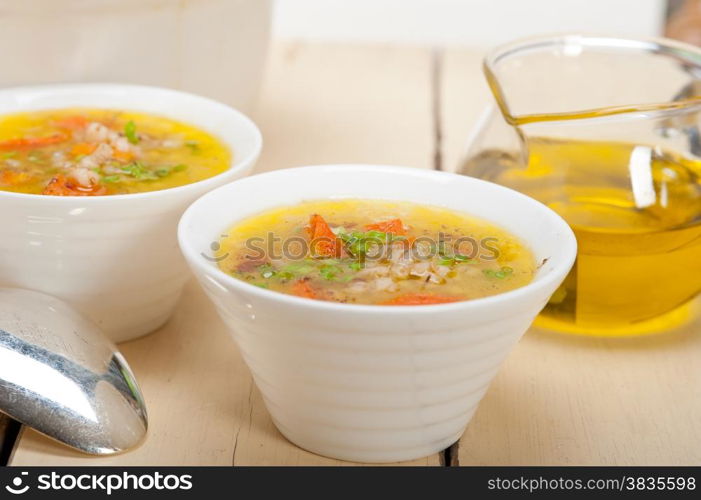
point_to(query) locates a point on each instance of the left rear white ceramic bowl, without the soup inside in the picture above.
(114, 258)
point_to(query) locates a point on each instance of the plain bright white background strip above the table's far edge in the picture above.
(472, 23)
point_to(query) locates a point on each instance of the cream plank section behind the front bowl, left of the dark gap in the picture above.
(346, 104)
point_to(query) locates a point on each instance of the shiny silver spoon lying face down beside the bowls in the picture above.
(61, 376)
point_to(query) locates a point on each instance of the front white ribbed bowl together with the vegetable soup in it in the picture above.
(393, 371)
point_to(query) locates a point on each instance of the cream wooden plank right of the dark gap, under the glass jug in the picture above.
(574, 400)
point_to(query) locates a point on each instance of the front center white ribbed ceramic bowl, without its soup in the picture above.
(374, 383)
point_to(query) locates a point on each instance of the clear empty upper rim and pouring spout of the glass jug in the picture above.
(578, 77)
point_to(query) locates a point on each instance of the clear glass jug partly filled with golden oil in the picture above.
(605, 131)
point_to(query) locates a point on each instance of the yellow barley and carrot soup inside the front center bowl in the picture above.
(375, 252)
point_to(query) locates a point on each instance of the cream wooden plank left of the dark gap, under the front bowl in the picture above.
(320, 104)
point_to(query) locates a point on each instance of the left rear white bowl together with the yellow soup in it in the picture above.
(93, 179)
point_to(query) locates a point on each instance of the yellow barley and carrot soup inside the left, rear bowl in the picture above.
(91, 152)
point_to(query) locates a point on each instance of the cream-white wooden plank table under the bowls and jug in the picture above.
(558, 400)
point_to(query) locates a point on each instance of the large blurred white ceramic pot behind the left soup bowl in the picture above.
(214, 48)
